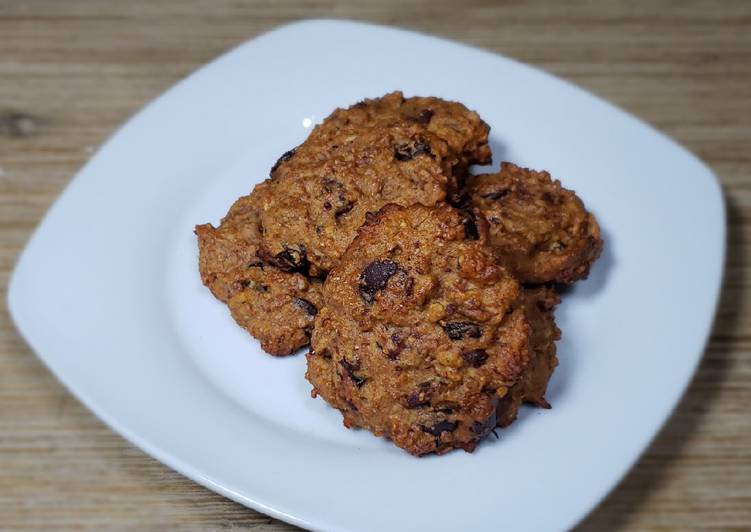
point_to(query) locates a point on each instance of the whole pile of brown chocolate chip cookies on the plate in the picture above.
(426, 293)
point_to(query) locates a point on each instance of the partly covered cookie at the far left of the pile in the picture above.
(275, 306)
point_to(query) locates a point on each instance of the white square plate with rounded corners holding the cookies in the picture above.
(108, 295)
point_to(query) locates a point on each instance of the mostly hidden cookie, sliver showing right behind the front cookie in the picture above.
(539, 304)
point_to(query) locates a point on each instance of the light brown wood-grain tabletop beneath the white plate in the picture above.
(71, 71)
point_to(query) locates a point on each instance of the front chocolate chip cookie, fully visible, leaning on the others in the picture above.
(421, 334)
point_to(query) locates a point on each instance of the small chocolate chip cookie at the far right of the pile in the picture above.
(541, 231)
